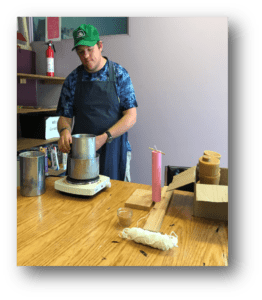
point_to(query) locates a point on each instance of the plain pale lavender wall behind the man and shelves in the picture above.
(179, 69)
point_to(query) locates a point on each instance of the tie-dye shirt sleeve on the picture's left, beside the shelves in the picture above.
(66, 100)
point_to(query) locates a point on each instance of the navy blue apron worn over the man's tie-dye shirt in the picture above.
(96, 109)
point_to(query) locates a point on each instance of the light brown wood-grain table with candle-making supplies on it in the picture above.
(59, 229)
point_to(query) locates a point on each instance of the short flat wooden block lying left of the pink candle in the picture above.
(140, 199)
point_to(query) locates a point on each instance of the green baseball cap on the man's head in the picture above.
(86, 35)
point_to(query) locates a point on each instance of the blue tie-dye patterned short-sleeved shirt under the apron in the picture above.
(124, 88)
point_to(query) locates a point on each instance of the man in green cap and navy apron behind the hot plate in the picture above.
(100, 94)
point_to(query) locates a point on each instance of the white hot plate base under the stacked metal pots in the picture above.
(87, 189)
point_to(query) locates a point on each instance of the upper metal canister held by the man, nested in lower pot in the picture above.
(84, 146)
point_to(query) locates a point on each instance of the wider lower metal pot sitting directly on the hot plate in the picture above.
(83, 168)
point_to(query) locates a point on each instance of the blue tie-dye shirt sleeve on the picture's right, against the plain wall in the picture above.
(126, 90)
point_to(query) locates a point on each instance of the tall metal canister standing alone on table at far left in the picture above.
(32, 173)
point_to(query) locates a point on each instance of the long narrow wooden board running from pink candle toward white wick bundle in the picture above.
(157, 213)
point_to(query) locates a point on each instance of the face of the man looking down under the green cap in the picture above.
(91, 57)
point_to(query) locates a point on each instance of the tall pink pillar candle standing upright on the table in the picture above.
(156, 176)
